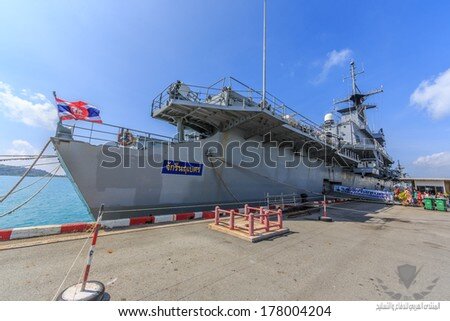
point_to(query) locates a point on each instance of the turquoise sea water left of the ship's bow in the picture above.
(57, 203)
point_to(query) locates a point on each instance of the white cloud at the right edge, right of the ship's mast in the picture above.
(433, 95)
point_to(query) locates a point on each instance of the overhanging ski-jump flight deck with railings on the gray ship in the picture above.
(229, 104)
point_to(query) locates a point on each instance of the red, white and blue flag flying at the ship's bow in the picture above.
(78, 110)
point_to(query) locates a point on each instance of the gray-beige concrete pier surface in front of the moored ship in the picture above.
(354, 258)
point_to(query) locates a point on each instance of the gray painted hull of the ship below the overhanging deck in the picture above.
(133, 190)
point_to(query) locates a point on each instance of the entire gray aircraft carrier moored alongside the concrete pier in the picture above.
(195, 170)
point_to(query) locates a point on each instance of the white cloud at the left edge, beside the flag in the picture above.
(32, 109)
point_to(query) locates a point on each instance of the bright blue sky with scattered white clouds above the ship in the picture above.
(119, 55)
